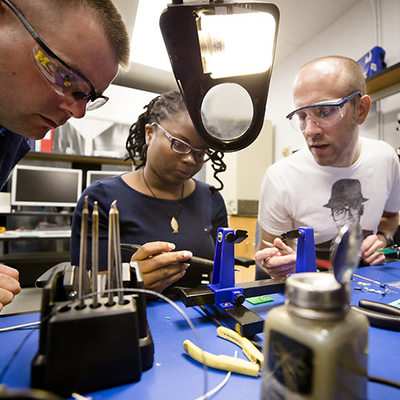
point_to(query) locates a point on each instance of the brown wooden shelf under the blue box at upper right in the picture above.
(384, 83)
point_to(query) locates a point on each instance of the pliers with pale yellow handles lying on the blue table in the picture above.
(227, 363)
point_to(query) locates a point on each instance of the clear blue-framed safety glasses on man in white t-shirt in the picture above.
(323, 114)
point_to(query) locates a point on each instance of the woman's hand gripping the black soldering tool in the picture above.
(160, 265)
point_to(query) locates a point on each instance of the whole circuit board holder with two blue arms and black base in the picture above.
(223, 295)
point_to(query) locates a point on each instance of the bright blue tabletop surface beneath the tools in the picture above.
(175, 375)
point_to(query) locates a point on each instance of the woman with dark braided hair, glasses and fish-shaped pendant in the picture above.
(161, 205)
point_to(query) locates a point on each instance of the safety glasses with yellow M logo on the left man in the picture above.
(64, 79)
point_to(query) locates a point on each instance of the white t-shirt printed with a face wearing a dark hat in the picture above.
(297, 192)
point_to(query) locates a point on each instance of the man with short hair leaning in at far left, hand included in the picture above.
(56, 60)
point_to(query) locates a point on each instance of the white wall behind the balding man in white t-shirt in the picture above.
(353, 35)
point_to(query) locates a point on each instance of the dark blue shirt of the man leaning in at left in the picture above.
(12, 148)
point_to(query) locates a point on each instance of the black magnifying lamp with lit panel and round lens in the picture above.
(222, 54)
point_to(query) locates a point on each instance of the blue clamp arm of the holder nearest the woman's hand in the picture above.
(223, 278)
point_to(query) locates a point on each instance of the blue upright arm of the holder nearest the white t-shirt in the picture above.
(306, 260)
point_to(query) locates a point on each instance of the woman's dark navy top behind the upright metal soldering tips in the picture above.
(144, 219)
